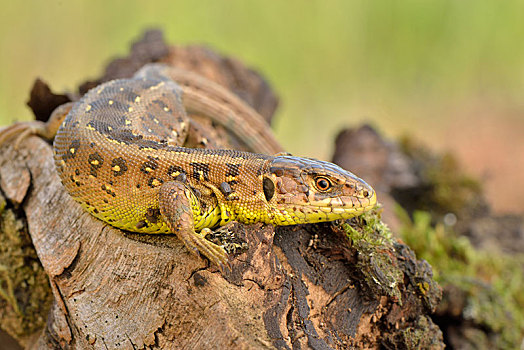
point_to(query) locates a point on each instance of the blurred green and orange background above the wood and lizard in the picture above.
(450, 73)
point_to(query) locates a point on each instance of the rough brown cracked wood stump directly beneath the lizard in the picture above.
(124, 291)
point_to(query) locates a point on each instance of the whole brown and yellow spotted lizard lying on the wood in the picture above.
(118, 152)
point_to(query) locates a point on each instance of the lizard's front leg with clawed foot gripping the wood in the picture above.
(177, 212)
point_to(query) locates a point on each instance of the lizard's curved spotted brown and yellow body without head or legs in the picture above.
(121, 142)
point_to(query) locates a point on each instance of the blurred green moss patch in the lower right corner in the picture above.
(490, 283)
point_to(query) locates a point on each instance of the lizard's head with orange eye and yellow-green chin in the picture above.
(303, 190)
